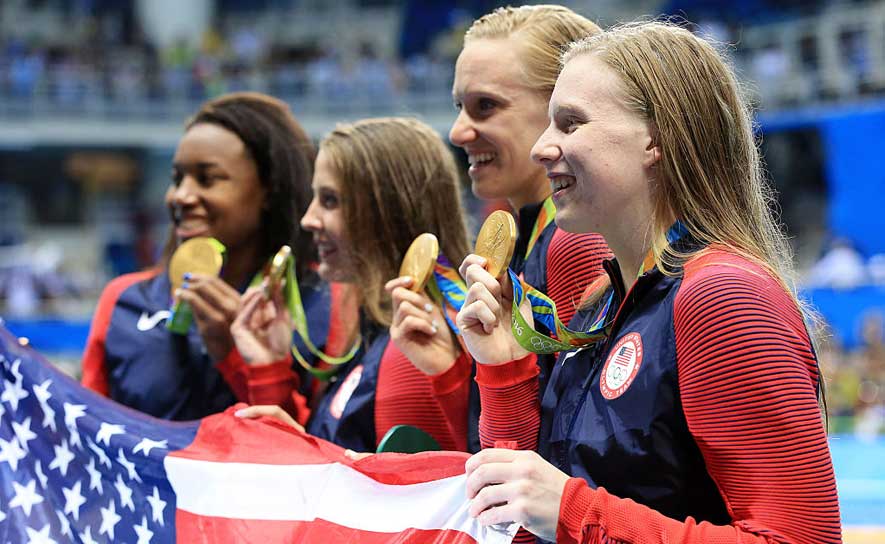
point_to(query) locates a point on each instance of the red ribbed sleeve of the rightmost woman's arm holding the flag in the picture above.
(748, 381)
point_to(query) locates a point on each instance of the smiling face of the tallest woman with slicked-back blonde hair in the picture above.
(499, 118)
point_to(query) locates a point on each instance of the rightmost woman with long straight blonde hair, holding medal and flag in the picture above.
(696, 419)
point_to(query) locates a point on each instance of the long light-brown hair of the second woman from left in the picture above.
(398, 180)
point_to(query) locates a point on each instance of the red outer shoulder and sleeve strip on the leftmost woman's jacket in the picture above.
(93, 366)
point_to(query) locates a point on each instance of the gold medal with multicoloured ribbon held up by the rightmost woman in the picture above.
(494, 242)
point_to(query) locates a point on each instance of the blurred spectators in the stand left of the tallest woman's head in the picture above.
(109, 67)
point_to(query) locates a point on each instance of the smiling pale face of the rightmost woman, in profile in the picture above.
(599, 155)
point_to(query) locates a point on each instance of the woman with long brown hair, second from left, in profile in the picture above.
(378, 185)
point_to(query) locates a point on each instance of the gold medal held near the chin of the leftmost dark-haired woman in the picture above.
(201, 255)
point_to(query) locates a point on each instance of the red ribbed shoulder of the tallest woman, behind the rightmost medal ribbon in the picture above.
(573, 262)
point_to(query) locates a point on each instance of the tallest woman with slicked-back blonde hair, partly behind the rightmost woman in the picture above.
(503, 80)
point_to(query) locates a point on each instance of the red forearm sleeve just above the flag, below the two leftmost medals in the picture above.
(275, 384)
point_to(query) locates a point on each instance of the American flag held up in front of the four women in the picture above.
(76, 467)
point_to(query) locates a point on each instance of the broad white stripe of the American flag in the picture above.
(333, 492)
